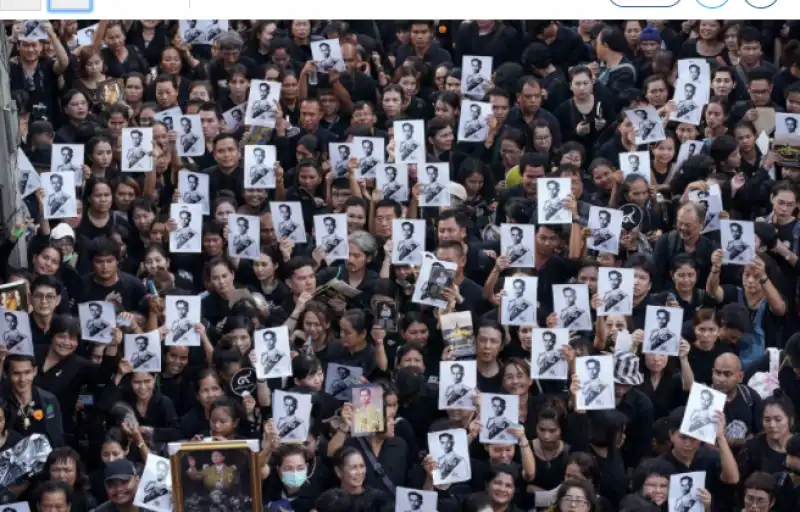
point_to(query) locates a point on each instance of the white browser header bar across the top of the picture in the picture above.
(358, 9)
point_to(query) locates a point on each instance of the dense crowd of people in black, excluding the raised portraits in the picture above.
(558, 93)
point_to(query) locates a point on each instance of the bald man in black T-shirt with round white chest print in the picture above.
(743, 411)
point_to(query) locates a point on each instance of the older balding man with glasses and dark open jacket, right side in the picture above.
(685, 238)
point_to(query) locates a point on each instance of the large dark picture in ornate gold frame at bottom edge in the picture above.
(217, 473)
